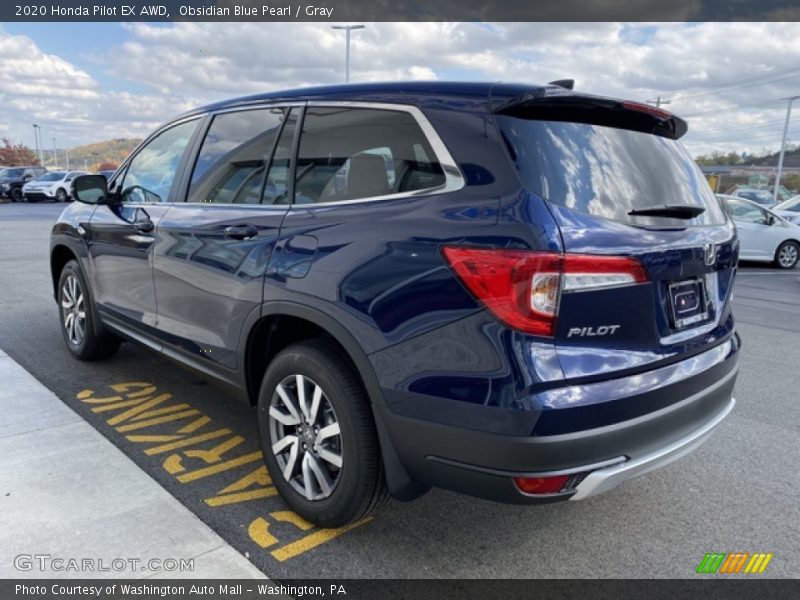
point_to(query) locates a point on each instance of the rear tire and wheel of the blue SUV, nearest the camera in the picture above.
(318, 435)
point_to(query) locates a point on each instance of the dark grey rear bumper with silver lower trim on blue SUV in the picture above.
(484, 464)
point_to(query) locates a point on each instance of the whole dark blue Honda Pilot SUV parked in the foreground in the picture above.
(516, 292)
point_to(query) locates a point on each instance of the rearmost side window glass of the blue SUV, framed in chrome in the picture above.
(354, 153)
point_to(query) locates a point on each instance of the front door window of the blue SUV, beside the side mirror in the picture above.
(151, 173)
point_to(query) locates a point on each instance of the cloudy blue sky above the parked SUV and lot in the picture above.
(89, 82)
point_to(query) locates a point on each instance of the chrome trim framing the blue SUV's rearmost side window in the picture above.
(454, 180)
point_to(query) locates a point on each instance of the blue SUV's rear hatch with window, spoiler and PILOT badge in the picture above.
(618, 183)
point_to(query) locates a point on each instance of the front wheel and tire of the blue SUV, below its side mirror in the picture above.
(85, 339)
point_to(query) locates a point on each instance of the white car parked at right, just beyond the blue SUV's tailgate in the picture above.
(763, 235)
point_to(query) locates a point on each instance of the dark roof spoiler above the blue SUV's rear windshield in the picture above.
(560, 104)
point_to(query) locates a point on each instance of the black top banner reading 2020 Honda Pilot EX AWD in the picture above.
(401, 10)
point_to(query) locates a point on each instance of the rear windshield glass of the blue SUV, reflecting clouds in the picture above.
(607, 171)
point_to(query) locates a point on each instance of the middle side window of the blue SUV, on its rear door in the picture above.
(235, 152)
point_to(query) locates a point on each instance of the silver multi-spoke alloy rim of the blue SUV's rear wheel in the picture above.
(306, 438)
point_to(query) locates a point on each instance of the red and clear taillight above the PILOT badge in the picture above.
(523, 288)
